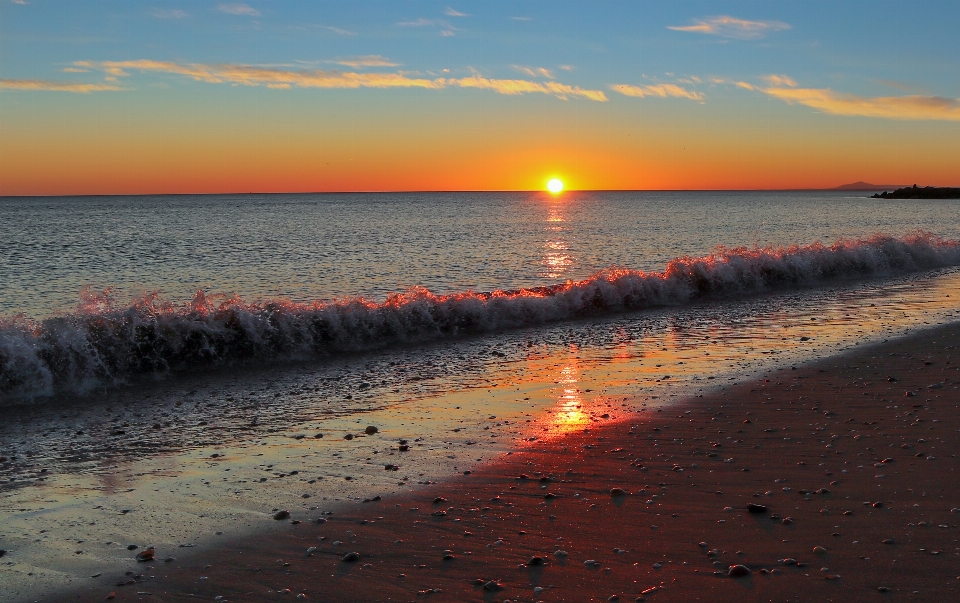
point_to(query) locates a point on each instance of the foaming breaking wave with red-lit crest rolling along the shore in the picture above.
(102, 344)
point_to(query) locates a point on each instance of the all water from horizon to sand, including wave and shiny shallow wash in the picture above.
(142, 338)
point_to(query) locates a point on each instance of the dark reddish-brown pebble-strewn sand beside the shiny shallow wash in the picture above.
(854, 454)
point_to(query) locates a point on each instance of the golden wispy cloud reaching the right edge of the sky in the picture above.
(912, 107)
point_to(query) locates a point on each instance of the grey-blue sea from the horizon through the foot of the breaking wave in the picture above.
(99, 290)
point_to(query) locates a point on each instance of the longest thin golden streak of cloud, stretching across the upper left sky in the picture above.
(282, 78)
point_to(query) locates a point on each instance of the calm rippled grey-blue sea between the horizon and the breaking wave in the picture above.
(326, 246)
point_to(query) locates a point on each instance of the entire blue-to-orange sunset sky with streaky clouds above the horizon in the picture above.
(129, 97)
